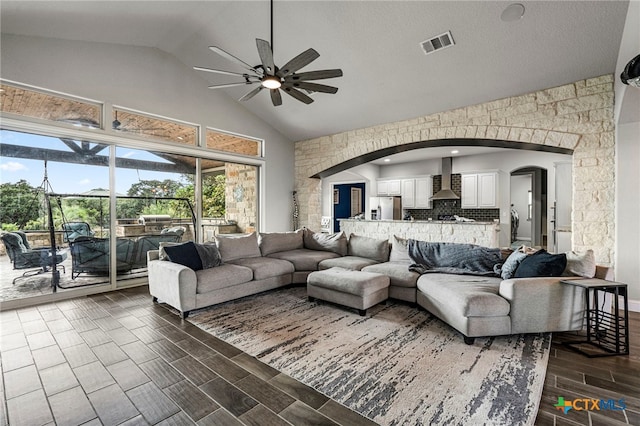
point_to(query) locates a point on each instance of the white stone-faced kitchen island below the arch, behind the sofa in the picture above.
(481, 233)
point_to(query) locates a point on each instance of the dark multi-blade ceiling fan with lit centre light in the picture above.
(274, 78)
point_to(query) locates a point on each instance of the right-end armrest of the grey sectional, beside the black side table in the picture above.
(543, 304)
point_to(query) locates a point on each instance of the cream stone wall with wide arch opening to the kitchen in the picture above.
(577, 116)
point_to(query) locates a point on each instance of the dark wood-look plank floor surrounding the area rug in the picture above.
(116, 359)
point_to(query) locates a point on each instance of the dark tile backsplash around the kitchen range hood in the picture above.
(452, 207)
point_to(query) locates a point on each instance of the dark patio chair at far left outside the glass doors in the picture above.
(22, 256)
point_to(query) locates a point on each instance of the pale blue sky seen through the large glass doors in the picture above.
(72, 178)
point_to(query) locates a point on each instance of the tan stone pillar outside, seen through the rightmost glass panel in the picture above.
(241, 198)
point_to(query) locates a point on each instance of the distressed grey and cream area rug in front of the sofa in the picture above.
(397, 366)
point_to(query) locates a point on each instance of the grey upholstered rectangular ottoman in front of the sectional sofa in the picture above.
(355, 289)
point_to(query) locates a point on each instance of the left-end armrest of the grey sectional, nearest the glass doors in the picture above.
(173, 284)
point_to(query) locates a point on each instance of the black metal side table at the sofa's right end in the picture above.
(606, 330)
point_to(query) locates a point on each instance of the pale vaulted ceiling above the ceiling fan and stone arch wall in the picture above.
(387, 77)
